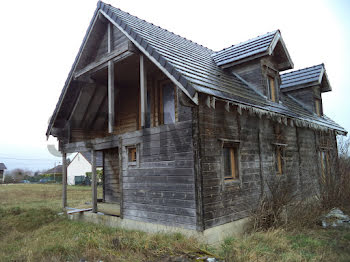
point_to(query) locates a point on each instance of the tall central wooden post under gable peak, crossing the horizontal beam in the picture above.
(111, 113)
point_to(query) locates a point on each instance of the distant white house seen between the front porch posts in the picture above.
(81, 163)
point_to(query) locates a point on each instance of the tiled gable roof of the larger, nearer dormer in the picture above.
(251, 49)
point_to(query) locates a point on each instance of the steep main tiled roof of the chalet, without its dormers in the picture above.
(190, 66)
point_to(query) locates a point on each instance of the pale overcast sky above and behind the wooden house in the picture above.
(40, 39)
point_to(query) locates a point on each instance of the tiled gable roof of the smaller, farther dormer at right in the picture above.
(310, 76)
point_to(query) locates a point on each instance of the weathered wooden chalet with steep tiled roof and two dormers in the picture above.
(190, 137)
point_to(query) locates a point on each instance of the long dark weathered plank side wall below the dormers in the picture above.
(226, 202)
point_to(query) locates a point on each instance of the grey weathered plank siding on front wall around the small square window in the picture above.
(160, 188)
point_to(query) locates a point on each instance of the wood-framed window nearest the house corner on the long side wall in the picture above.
(230, 162)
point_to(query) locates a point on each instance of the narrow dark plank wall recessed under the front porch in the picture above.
(111, 175)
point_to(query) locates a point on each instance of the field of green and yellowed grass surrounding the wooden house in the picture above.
(31, 230)
